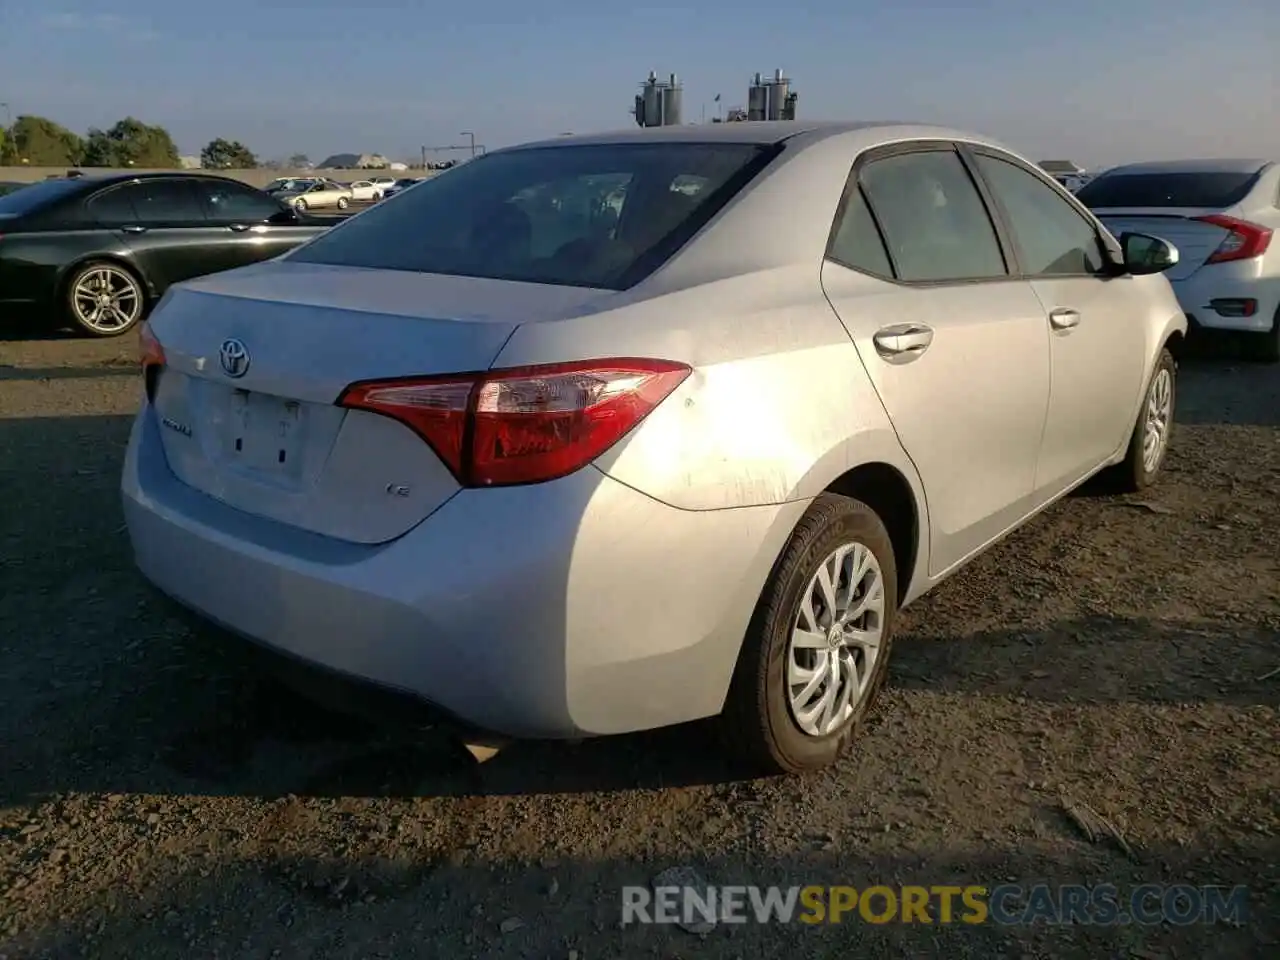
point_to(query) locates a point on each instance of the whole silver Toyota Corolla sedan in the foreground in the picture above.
(610, 433)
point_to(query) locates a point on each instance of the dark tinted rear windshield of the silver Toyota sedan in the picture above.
(598, 216)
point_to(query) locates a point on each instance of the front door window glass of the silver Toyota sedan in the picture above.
(1052, 237)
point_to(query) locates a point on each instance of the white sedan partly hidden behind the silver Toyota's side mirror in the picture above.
(1222, 216)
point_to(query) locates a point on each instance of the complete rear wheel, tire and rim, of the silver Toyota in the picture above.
(817, 652)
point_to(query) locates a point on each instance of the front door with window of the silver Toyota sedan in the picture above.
(1096, 322)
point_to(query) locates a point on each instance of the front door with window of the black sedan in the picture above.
(255, 226)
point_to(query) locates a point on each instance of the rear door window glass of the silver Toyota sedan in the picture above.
(936, 225)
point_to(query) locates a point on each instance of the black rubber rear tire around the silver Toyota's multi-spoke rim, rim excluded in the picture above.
(757, 723)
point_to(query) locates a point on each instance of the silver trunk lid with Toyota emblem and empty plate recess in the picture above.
(257, 359)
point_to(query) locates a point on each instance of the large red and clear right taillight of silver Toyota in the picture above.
(528, 424)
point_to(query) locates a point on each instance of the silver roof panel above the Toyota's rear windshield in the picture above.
(762, 132)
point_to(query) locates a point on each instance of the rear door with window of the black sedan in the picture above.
(163, 223)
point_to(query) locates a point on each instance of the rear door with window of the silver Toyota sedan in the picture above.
(957, 346)
